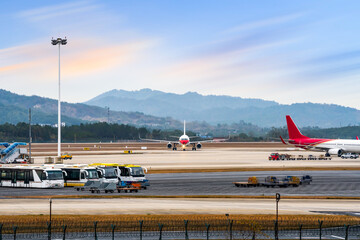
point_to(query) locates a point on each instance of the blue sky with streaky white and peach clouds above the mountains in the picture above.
(287, 51)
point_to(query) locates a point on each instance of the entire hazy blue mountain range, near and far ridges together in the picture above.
(161, 110)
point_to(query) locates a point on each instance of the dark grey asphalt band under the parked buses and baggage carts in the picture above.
(325, 183)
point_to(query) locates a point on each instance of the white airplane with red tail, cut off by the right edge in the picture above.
(330, 146)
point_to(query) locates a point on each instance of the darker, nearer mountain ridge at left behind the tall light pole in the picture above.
(14, 109)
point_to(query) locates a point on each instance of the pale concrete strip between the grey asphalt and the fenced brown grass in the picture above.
(174, 206)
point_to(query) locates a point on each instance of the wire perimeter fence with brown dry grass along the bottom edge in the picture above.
(180, 229)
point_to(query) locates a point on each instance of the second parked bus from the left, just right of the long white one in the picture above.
(78, 175)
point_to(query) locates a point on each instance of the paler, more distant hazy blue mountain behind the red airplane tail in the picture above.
(225, 109)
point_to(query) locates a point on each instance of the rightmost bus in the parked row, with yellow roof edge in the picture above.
(126, 173)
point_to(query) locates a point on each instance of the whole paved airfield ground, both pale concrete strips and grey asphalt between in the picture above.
(333, 183)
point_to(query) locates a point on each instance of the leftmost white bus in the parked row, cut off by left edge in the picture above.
(31, 177)
